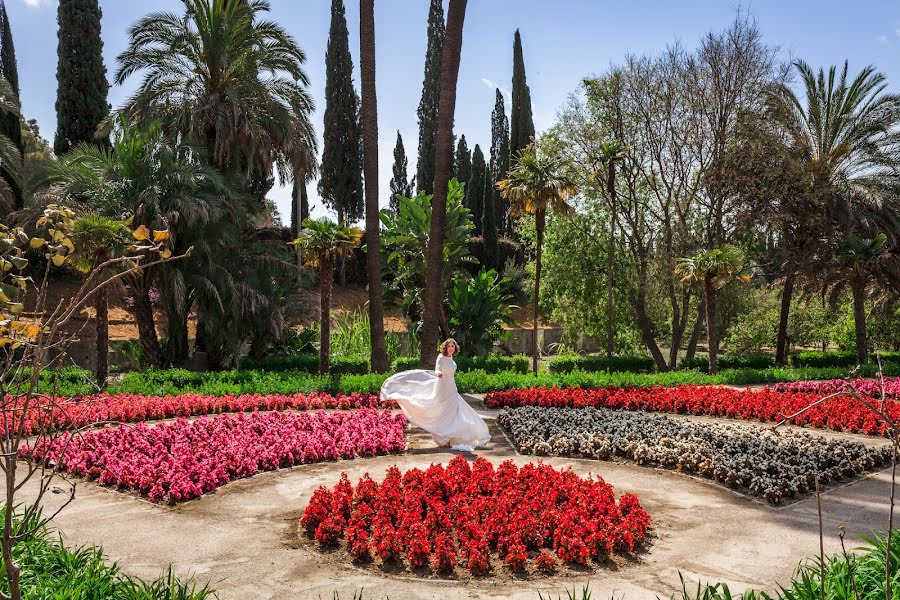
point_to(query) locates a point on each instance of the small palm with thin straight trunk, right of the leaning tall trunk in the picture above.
(536, 184)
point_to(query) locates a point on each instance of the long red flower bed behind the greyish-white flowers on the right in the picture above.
(839, 414)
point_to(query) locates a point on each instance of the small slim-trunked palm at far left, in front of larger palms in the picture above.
(98, 239)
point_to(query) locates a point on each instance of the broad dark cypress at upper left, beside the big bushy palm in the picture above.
(82, 87)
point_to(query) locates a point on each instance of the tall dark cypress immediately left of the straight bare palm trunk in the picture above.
(340, 181)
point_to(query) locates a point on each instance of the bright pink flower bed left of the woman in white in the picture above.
(177, 461)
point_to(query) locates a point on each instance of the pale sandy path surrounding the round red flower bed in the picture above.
(243, 538)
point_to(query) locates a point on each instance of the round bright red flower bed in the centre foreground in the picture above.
(470, 514)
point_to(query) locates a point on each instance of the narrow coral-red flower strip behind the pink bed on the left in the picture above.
(79, 411)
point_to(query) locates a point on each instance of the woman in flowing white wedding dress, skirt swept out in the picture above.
(430, 401)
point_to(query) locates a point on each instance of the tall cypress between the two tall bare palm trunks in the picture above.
(431, 91)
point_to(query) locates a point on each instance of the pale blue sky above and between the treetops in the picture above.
(563, 41)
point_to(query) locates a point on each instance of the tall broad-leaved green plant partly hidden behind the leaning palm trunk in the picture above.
(406, 235)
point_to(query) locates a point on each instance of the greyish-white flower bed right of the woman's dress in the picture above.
(774, 464)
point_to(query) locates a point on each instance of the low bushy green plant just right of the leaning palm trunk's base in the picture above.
(479, 308)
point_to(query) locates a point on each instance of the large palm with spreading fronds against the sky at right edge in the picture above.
(847, 130)
